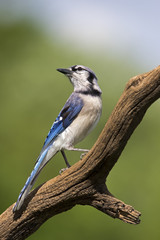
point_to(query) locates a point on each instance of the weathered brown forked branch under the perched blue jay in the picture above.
(84, 182)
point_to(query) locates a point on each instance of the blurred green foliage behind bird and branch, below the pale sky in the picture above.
(31, 95)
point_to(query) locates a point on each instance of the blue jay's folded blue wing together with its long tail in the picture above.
(68, 113)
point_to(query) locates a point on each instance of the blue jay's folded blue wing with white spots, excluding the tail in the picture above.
(68, 113)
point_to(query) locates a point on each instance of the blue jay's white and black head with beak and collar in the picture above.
(82, 78)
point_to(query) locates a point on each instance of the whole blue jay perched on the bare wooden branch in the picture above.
(75, 121)
